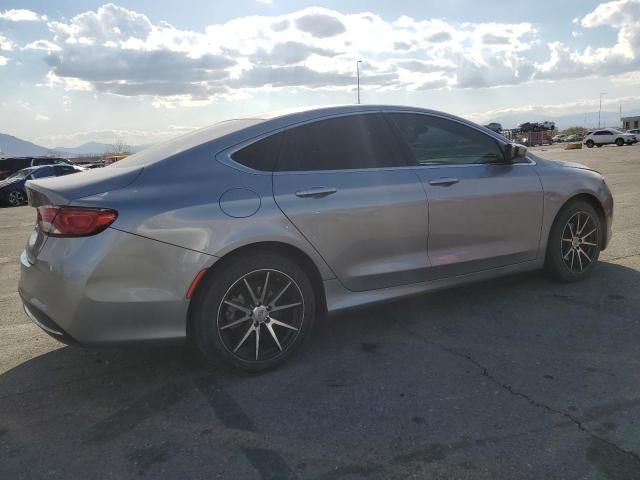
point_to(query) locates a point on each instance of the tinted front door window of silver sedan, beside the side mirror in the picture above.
(437, 141)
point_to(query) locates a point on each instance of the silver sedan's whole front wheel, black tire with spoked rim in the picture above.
(580, 218)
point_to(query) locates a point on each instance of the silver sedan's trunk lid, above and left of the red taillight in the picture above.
(60, 191)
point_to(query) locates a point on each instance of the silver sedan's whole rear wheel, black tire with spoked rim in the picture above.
(228, 322)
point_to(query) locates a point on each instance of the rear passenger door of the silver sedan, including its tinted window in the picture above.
(344, 184)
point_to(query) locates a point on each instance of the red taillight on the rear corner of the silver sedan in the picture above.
(74, 221)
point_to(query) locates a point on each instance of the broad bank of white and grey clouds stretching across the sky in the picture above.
(118, 51)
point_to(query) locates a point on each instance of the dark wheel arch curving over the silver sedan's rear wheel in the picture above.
(300, 257)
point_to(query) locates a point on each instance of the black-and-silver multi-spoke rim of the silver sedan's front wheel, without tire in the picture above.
(579, 242)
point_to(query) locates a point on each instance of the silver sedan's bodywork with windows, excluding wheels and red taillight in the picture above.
(401, 218)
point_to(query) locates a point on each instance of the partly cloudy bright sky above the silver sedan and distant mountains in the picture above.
(144, 71)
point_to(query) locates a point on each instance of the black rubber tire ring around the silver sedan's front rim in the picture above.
(554, 263)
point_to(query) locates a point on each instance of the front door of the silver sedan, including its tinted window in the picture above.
(483, 212)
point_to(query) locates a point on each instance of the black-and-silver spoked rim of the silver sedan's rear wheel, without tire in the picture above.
(260, 315)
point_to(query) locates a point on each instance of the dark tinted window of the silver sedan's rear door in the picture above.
(355, 141)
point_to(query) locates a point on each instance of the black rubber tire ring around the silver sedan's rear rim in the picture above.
(211, 293)
